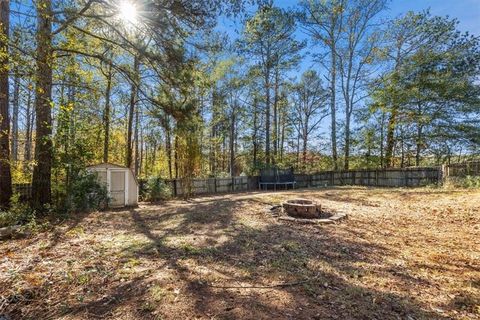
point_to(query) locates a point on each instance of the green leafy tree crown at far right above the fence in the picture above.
(430, 94)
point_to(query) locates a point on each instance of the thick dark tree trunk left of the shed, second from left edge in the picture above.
(41, 181)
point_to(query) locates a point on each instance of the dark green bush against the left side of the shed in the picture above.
(85, 193)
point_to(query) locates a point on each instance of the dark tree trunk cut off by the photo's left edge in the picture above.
(5, 173)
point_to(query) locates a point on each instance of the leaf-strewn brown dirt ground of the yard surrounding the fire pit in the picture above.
(402, 254)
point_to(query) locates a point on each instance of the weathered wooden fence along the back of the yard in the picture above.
(396, 177)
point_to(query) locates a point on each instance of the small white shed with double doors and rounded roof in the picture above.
(122, 186)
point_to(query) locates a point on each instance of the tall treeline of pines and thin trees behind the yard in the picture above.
(156, 86)
